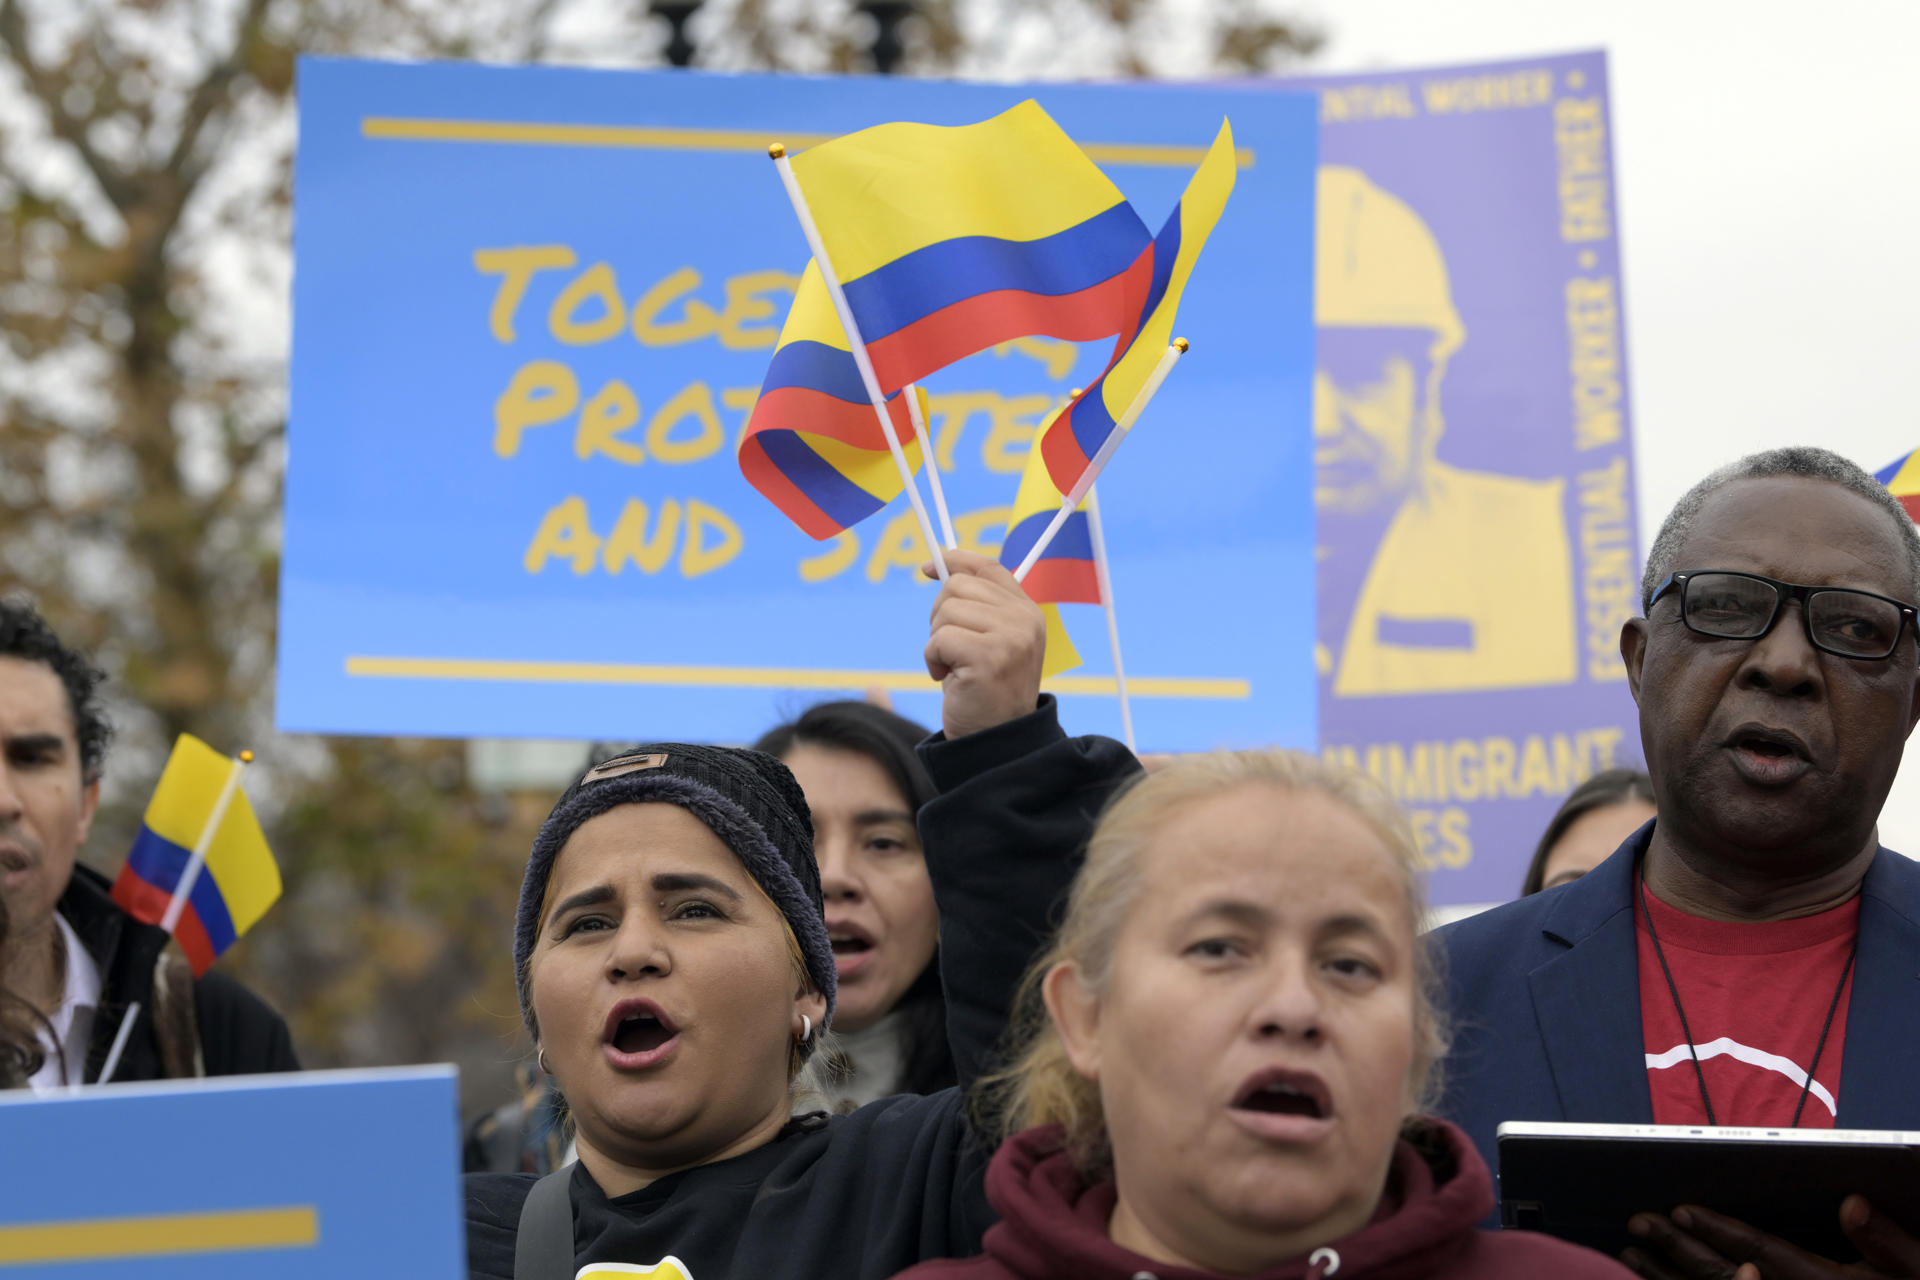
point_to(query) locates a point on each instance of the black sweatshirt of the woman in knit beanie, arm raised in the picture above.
(900, 1181)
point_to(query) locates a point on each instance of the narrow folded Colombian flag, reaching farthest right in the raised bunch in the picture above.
(1080, 433)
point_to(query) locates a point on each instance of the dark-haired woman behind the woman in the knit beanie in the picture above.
(865, 784)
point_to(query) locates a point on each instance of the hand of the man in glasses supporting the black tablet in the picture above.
(1698, 1244)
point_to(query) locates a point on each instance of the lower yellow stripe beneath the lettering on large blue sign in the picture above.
(767, 678)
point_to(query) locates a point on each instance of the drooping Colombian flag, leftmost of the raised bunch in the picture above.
(813, 444)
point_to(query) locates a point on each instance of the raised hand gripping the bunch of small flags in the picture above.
(988, 648)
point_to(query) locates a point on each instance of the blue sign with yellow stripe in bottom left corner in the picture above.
(300, 1177)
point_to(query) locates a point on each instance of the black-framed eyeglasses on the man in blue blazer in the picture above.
(1727, 605)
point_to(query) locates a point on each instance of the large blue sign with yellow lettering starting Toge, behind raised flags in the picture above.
(533, 310)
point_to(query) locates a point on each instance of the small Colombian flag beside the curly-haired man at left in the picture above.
(239, 880)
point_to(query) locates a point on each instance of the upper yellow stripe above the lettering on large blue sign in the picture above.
(402, 130)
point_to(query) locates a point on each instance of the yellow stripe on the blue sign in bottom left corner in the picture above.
(89, 1241)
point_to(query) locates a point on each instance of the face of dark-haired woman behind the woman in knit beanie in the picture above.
(873, 876)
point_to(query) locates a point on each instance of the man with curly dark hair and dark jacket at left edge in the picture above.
(72, 953)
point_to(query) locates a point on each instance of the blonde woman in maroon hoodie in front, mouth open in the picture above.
(1228, 1051)
